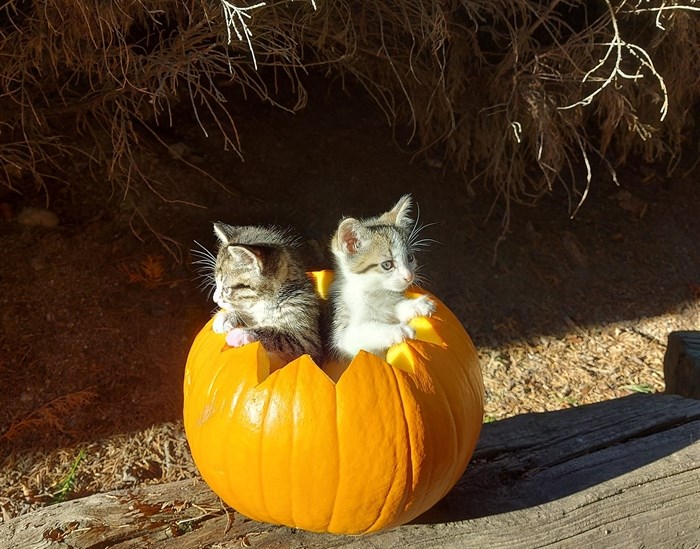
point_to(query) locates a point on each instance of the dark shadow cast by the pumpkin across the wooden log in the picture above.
(535, 459)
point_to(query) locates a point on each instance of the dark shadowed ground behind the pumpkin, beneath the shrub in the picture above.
(73, 321)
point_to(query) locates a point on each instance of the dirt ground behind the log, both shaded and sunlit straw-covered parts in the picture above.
(97, 316)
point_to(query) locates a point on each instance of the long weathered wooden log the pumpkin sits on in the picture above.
(619, 473)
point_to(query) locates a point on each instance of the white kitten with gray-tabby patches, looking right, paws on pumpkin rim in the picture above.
(375, 264)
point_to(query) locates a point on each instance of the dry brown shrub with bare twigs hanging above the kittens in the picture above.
(512, 92)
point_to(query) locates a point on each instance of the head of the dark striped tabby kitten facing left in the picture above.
(251, 265)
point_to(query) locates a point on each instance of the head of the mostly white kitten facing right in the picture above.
(377, 251)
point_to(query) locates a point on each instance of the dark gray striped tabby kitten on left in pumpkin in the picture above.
(264, 292)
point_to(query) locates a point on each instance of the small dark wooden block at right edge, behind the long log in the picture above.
(682, 364)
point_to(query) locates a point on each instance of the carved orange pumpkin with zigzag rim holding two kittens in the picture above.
(342, 449)
